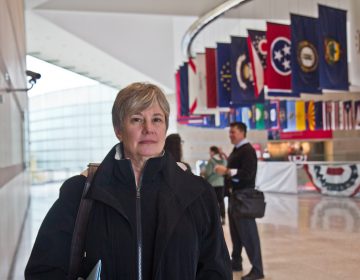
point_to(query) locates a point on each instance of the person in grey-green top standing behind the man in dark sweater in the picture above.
(216, 180)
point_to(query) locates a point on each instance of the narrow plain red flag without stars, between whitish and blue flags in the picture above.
(211, 94)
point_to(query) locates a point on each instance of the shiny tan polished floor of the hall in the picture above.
(305, 236)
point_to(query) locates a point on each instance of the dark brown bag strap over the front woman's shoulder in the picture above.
(78, 238)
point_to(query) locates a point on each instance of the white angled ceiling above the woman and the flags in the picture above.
(119, 42)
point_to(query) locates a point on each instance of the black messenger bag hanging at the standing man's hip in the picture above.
(247, 203)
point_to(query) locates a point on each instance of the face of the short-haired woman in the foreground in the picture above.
(143, 134)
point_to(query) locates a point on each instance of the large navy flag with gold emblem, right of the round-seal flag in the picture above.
(333, 50)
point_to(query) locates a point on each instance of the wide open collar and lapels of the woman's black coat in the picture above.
(180, 190)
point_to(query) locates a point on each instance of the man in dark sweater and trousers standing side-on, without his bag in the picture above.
(241, 170)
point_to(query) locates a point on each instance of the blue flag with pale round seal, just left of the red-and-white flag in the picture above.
(242, 82)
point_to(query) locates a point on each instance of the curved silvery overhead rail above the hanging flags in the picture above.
(203, 21)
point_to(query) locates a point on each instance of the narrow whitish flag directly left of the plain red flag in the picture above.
(201, 82)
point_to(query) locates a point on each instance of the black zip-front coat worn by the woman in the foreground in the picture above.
(181, 233)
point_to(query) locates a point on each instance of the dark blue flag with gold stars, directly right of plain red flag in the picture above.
(223, 74)
